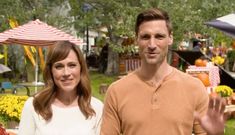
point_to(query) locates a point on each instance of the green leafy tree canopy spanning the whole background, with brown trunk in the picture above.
(118, 17)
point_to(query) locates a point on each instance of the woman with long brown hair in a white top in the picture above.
(65, 105)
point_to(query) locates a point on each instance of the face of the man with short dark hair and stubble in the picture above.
(153, 40)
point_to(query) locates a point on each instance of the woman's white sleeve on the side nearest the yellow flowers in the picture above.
(27, 123)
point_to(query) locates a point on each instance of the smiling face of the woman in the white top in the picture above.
(66, 73)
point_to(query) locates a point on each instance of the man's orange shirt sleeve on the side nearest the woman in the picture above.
(110, 121)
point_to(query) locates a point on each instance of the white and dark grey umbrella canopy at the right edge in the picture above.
(225, 23)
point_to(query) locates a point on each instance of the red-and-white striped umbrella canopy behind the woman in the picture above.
(36, 33)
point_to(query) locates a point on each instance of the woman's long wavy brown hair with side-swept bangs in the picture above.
(43, 100)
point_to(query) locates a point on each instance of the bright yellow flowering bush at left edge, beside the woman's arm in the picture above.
(11, 107)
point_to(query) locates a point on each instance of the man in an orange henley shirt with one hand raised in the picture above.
(157, 99)
